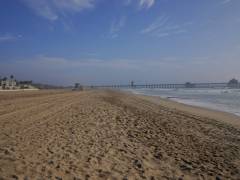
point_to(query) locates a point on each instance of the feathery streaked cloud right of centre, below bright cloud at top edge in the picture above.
(163, 27)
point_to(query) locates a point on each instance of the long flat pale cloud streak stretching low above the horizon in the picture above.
(42, 61)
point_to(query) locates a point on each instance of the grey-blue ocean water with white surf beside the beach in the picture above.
(226, 100)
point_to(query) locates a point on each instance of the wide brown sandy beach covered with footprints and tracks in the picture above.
(112, 135)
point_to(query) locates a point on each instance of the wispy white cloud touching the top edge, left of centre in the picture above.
(53, 9)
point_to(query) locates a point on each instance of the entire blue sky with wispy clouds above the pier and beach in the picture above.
(97, 42)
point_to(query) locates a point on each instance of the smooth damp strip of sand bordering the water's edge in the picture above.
(192, 109)
